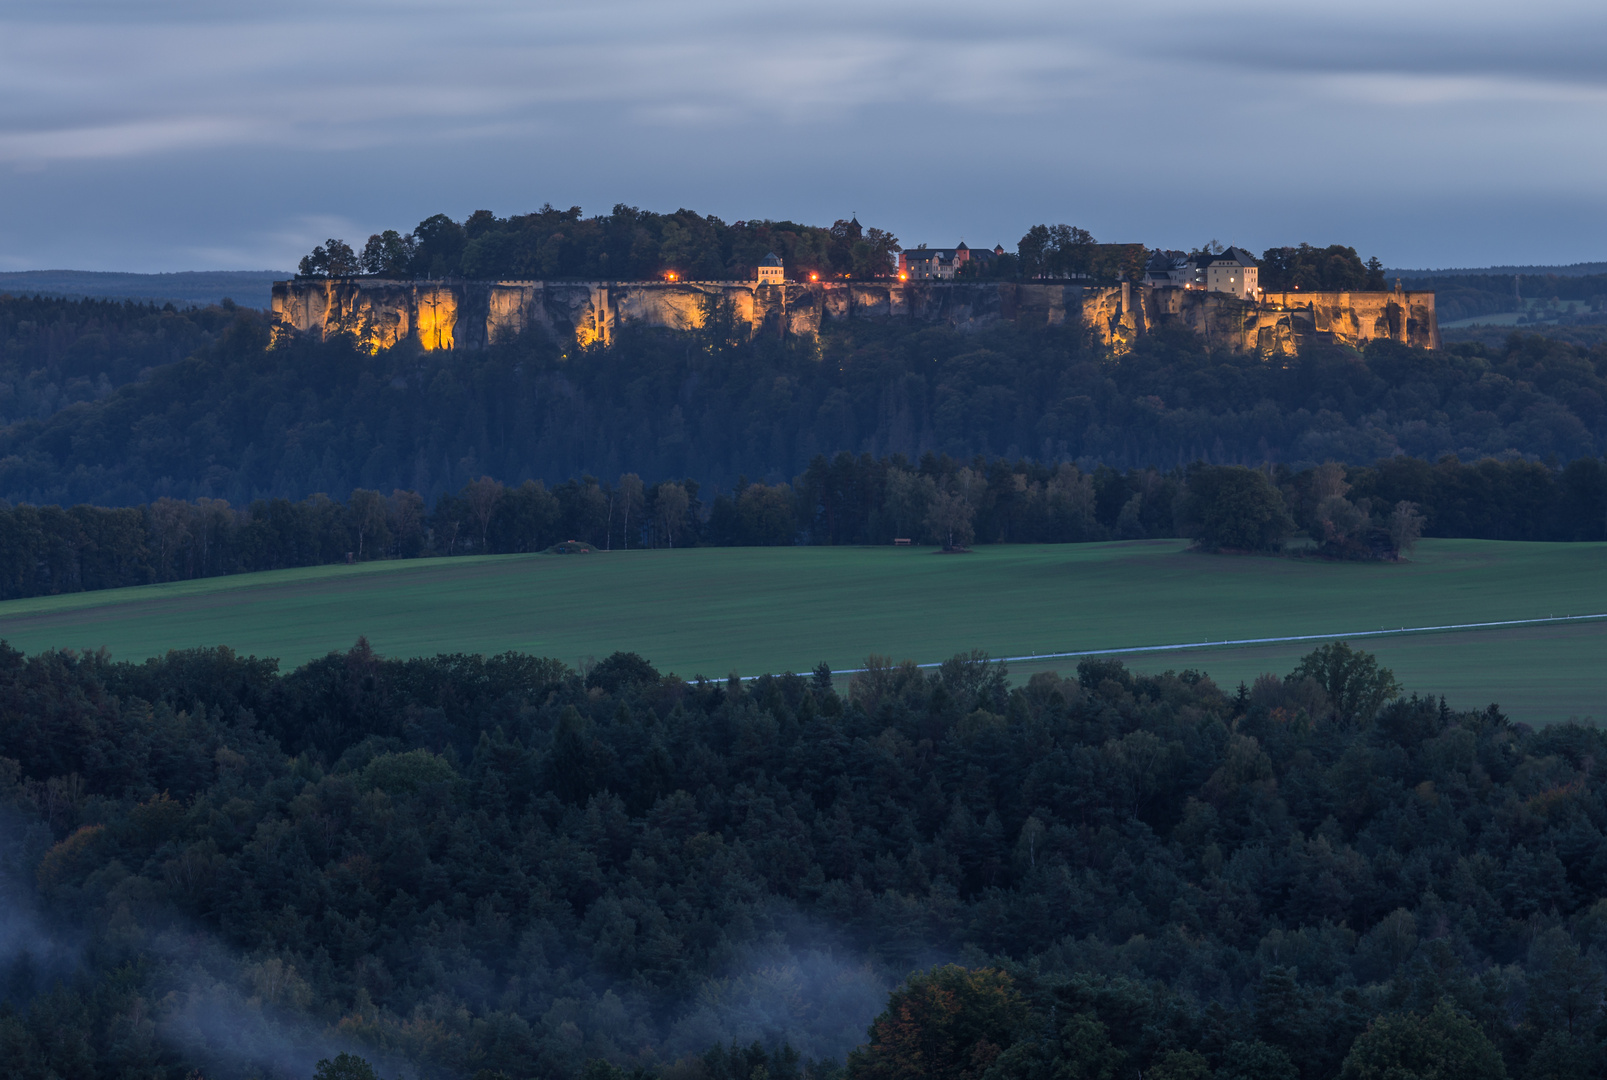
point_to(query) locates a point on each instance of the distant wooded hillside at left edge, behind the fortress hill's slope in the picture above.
(59, 353)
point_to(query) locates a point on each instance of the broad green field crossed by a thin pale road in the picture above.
(713, 612)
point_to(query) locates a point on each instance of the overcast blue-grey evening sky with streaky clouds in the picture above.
(155, 136)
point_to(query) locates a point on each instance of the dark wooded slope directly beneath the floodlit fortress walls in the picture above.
(240, 422)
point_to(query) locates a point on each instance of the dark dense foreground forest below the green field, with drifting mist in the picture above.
(468, 865)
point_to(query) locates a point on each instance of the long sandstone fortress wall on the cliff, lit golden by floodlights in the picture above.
(475, 314)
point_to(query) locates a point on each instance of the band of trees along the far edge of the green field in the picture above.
(1375, 512)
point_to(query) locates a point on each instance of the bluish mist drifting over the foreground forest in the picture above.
(248, 1015)
